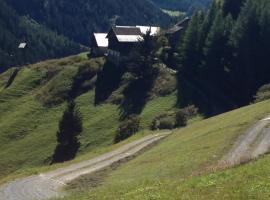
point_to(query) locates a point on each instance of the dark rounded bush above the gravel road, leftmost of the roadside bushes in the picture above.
(127, 128)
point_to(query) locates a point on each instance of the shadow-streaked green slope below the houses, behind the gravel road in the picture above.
(33, 104)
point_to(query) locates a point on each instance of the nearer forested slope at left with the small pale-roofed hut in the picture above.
(41, 42)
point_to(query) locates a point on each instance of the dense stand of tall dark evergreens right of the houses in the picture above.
(227, 49)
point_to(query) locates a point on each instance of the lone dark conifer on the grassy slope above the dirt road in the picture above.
(70, 127)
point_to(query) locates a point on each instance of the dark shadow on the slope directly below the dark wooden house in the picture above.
(108, 80)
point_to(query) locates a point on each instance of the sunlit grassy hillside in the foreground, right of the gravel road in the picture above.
(180, 167)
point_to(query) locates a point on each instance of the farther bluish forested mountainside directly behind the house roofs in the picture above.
(78, 19)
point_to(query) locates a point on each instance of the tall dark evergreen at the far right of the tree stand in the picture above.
(251, 46)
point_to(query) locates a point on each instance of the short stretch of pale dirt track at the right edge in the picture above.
(253, 143)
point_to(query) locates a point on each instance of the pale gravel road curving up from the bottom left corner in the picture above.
(47, 185)
